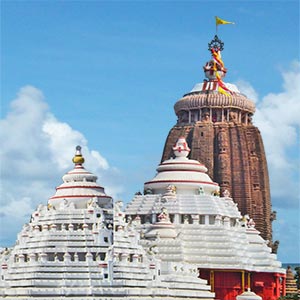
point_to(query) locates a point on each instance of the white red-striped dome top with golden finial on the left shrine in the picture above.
(79, 186)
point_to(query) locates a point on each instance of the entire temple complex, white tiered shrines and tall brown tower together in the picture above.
(200, 230)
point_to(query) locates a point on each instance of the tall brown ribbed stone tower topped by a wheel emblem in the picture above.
(216, 120)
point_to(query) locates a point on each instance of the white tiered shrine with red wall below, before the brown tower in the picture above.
(199, 226)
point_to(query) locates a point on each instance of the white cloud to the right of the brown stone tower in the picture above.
(277, 117)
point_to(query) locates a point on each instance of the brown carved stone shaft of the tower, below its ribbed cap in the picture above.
(238, 164)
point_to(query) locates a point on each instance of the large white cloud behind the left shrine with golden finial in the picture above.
(36, 150)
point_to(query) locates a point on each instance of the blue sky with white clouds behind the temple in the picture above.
(106, 75)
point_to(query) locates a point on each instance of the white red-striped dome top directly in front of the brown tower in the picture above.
(187, 175)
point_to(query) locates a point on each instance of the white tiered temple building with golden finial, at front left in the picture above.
(81, 248)
